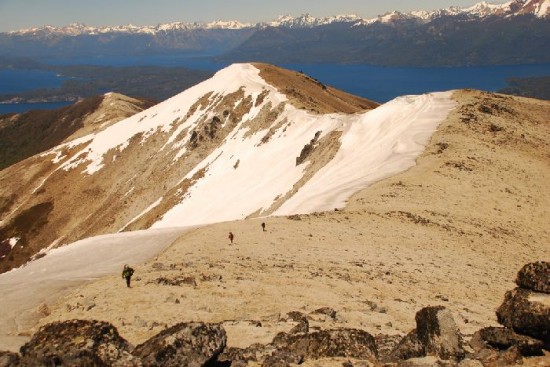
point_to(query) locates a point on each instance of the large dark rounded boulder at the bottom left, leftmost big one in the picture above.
(77, 343)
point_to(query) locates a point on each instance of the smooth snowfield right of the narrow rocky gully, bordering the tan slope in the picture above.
(378, 144)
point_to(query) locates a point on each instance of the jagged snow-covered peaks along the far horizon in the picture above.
(539, 8)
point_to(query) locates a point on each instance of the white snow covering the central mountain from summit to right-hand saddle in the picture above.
(376, 144)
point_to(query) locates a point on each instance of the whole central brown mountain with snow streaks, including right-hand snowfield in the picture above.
(255, 140)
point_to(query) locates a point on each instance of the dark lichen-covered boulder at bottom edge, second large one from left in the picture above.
(184, 344)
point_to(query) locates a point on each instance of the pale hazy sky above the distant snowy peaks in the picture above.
(17, 14)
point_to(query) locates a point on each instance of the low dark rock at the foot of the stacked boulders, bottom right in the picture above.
(504, 339)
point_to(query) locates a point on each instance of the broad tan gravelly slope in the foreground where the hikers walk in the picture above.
(453, 230)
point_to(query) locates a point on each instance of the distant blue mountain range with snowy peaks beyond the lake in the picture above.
(508, 34)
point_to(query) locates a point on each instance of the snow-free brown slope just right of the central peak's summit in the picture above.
(307, 93)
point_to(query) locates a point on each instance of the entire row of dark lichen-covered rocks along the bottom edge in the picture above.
(524, 338)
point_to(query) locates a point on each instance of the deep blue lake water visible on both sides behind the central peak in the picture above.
(378, 83)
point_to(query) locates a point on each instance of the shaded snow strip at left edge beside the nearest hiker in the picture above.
(46, 279)
